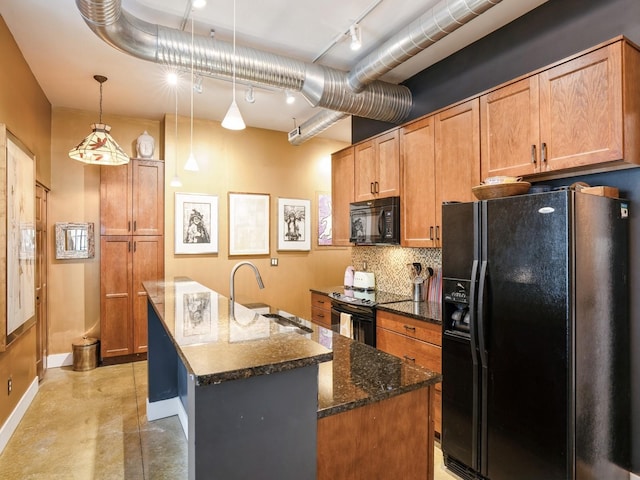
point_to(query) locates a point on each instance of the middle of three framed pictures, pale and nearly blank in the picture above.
(249, 223)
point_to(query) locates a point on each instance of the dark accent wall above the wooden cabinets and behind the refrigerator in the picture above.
(551, 32)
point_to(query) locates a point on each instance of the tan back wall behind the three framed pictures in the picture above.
(254, 161)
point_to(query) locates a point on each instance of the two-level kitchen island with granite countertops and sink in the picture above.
(268, 395)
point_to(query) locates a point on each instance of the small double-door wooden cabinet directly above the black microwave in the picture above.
(377, 167)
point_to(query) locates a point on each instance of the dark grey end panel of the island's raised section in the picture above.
(259, 427)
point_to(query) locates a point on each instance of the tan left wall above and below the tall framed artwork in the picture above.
(27, 113)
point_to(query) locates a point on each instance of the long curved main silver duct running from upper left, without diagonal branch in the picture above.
(321, 86)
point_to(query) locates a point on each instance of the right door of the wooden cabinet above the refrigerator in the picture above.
(581, 110)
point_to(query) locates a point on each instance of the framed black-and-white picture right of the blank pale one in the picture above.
(294, 224)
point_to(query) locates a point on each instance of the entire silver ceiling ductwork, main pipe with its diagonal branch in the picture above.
(356, 93)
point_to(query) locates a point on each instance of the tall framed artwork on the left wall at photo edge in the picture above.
(17, 238)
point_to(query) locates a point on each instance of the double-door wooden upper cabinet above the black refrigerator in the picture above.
(577, 114)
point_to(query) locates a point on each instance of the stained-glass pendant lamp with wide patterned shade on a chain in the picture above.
(99, 148)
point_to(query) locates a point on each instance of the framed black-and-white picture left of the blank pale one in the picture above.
(196, 226)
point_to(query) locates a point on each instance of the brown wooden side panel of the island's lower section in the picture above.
(392, 438)
